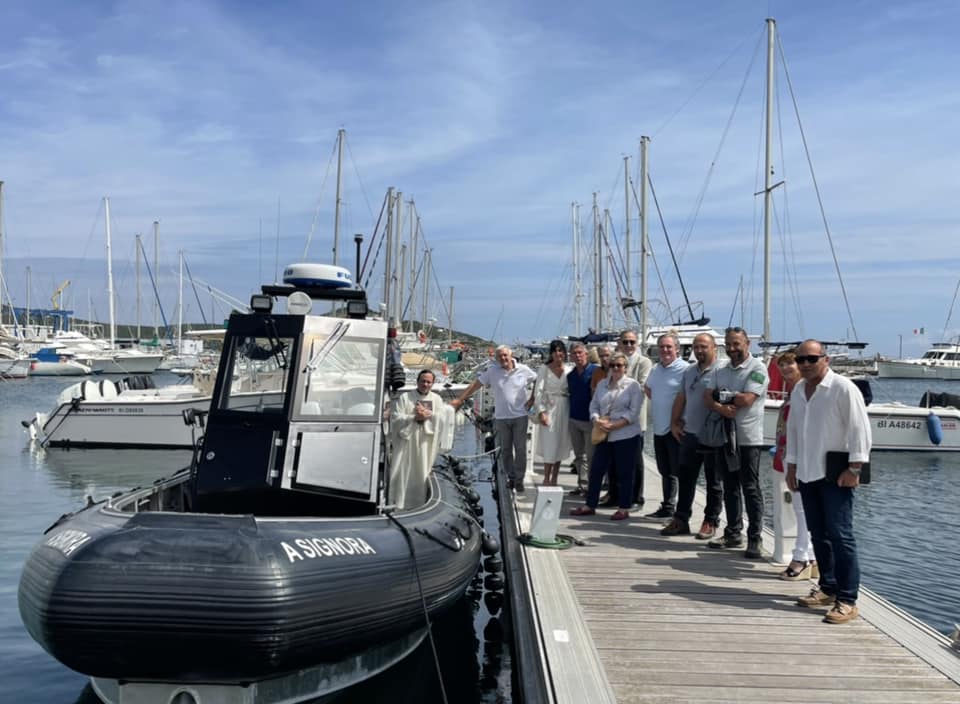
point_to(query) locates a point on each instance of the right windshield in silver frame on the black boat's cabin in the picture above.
(343, 377)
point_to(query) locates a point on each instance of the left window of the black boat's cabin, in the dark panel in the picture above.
(259, 374)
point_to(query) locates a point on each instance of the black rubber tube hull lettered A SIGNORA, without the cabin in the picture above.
(158, 596)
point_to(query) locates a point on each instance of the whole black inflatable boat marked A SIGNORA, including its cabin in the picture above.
(277, 552)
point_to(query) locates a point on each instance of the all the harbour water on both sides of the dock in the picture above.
(904, 523)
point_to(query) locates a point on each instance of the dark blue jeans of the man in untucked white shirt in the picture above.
(829, 511)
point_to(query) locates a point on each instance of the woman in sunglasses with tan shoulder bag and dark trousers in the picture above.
(615, 413)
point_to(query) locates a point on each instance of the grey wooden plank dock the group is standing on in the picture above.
(630, 616)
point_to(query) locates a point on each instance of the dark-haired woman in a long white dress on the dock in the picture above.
(551, 409)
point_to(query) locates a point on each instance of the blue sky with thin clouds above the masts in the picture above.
(219, 120)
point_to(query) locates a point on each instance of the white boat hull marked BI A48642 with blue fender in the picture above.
(895, 426)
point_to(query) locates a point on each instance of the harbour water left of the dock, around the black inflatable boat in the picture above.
(36, 487)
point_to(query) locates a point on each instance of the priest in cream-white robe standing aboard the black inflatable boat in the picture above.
(420, 430)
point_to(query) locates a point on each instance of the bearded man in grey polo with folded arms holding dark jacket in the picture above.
(737, 391)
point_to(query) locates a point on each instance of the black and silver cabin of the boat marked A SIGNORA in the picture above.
(295, 424)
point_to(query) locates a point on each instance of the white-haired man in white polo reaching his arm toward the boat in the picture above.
(510, 382)
